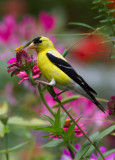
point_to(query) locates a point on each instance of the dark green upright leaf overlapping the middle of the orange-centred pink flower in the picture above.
(70, 132)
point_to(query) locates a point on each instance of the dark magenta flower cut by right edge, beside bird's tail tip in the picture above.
(111, 106)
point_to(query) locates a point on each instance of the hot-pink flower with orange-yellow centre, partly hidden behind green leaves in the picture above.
(68, 123)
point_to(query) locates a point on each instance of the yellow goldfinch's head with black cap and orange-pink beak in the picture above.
(41, 44)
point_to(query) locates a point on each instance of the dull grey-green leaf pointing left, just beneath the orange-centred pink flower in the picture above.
(53, 143)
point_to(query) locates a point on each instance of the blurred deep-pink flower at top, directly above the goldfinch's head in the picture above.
(47, 21)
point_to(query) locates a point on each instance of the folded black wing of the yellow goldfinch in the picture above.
(68, 69)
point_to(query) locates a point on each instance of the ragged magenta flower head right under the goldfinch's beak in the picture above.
(21, 64)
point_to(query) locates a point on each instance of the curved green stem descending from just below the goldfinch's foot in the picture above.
(44, 101)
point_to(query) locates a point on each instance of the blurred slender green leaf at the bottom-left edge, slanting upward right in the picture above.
(14, 148)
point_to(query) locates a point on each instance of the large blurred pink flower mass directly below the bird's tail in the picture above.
(85, 108)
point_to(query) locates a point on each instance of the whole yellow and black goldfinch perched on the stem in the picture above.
(57, 70)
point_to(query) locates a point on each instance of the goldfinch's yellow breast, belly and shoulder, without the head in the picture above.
(50, 70)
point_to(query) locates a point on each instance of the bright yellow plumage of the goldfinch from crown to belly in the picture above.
(48, 69)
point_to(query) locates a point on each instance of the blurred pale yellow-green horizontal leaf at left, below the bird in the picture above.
(35, 122)
